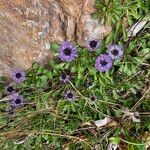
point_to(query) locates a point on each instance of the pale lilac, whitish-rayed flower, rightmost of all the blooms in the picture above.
(115, 51)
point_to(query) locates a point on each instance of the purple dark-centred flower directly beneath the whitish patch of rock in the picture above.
(93, 44)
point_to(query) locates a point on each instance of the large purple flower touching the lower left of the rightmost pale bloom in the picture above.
(103, 63)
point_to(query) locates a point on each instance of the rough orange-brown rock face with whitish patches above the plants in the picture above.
(28, 26)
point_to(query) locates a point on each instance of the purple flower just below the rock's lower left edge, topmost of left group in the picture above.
(18, 75)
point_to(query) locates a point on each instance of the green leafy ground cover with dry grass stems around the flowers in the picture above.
(49, 121)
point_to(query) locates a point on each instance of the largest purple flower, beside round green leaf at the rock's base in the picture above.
(67, 51)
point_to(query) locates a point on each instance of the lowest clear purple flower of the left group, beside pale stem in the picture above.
(16, 100)
